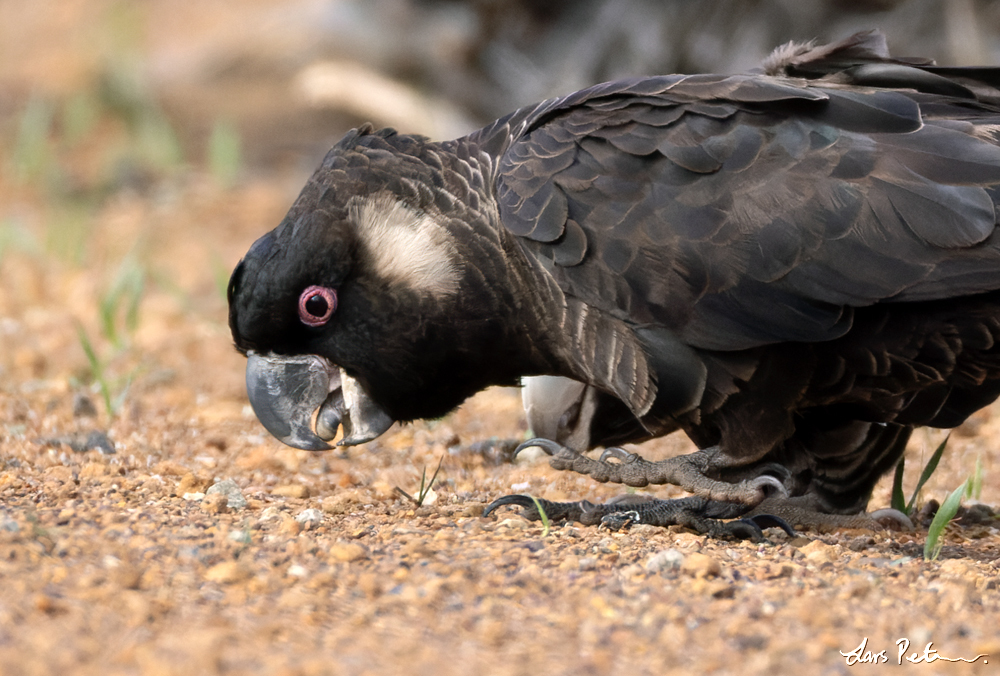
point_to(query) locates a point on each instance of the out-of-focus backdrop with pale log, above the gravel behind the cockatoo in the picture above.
(115, 95)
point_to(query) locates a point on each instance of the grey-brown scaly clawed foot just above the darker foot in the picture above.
(690, 472)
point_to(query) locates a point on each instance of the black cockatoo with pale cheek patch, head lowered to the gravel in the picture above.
(794, 267)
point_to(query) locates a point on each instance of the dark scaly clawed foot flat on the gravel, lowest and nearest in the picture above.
(698, 514)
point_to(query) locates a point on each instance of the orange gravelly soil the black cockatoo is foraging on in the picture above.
(117, 563)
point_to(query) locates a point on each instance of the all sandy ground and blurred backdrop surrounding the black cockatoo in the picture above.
(144, 145)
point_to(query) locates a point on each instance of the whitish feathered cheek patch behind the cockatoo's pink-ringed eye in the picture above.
(404, 246)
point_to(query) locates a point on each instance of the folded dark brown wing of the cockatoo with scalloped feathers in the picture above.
(737, 211)
